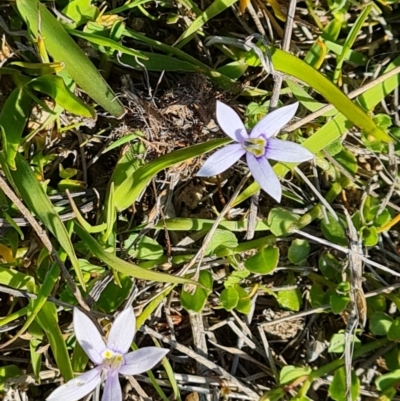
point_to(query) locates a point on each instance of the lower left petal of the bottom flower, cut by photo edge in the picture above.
(77, 388)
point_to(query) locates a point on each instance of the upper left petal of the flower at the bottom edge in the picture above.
(88, 337)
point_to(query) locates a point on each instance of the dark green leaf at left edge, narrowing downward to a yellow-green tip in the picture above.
(13, 118)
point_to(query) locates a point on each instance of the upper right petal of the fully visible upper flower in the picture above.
(273, 122)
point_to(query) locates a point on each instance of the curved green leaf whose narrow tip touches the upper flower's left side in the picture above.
(127, 192)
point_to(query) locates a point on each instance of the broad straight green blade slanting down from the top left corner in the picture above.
(63, 48)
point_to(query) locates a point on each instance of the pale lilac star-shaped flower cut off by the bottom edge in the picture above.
(111, 357)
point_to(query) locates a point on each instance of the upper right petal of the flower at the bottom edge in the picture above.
(122, 332)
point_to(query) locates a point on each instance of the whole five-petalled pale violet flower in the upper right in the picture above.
(258, 146)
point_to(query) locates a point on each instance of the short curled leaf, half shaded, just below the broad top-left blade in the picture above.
(54, 86)
